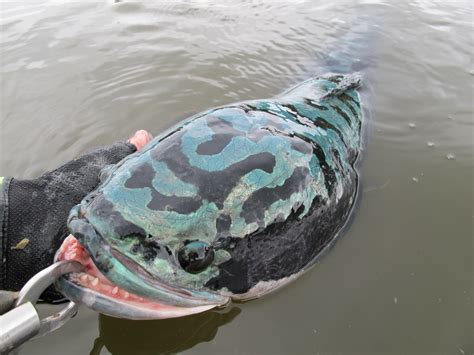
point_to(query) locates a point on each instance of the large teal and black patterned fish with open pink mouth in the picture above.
(229, 205)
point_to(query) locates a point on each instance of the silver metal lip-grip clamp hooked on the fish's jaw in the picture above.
(22, 322)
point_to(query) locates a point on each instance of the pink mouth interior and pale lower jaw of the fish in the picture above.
(94, 290)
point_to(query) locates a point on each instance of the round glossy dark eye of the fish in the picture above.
(195, 256)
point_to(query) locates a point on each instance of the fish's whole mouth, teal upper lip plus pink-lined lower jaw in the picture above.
(122, 293)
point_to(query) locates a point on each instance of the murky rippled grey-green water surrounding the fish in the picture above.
(83, 74)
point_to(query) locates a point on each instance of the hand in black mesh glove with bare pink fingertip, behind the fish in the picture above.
(34, 223)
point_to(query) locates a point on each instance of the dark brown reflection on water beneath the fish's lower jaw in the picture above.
(121, 336)
